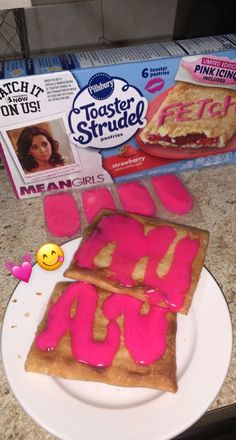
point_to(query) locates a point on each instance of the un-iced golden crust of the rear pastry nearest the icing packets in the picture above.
(99, 276)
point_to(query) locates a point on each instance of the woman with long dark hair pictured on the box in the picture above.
(37, 150)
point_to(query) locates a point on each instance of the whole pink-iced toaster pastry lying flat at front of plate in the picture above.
(91, 334)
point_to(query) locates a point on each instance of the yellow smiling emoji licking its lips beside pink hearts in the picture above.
(50, 256)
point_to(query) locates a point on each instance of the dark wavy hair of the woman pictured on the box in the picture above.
(24, 143)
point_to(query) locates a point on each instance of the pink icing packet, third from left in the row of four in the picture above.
(136, 198)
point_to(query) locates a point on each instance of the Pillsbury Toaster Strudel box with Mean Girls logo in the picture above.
(117, 114)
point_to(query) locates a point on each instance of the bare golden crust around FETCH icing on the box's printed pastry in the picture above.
(221, 127)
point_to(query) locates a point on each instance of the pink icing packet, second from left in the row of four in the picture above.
(96, 199)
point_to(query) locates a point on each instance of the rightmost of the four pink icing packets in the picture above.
(173, 194)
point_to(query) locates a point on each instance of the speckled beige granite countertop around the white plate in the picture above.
(22, 230)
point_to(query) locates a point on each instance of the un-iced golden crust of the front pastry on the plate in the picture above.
(123, 372)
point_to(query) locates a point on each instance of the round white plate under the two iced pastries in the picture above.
(74, 410)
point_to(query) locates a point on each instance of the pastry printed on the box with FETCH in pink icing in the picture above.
(193, 116)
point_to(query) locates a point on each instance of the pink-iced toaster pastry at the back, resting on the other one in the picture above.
(148, 258)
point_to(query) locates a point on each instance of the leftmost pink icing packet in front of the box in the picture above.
(61, 214)
